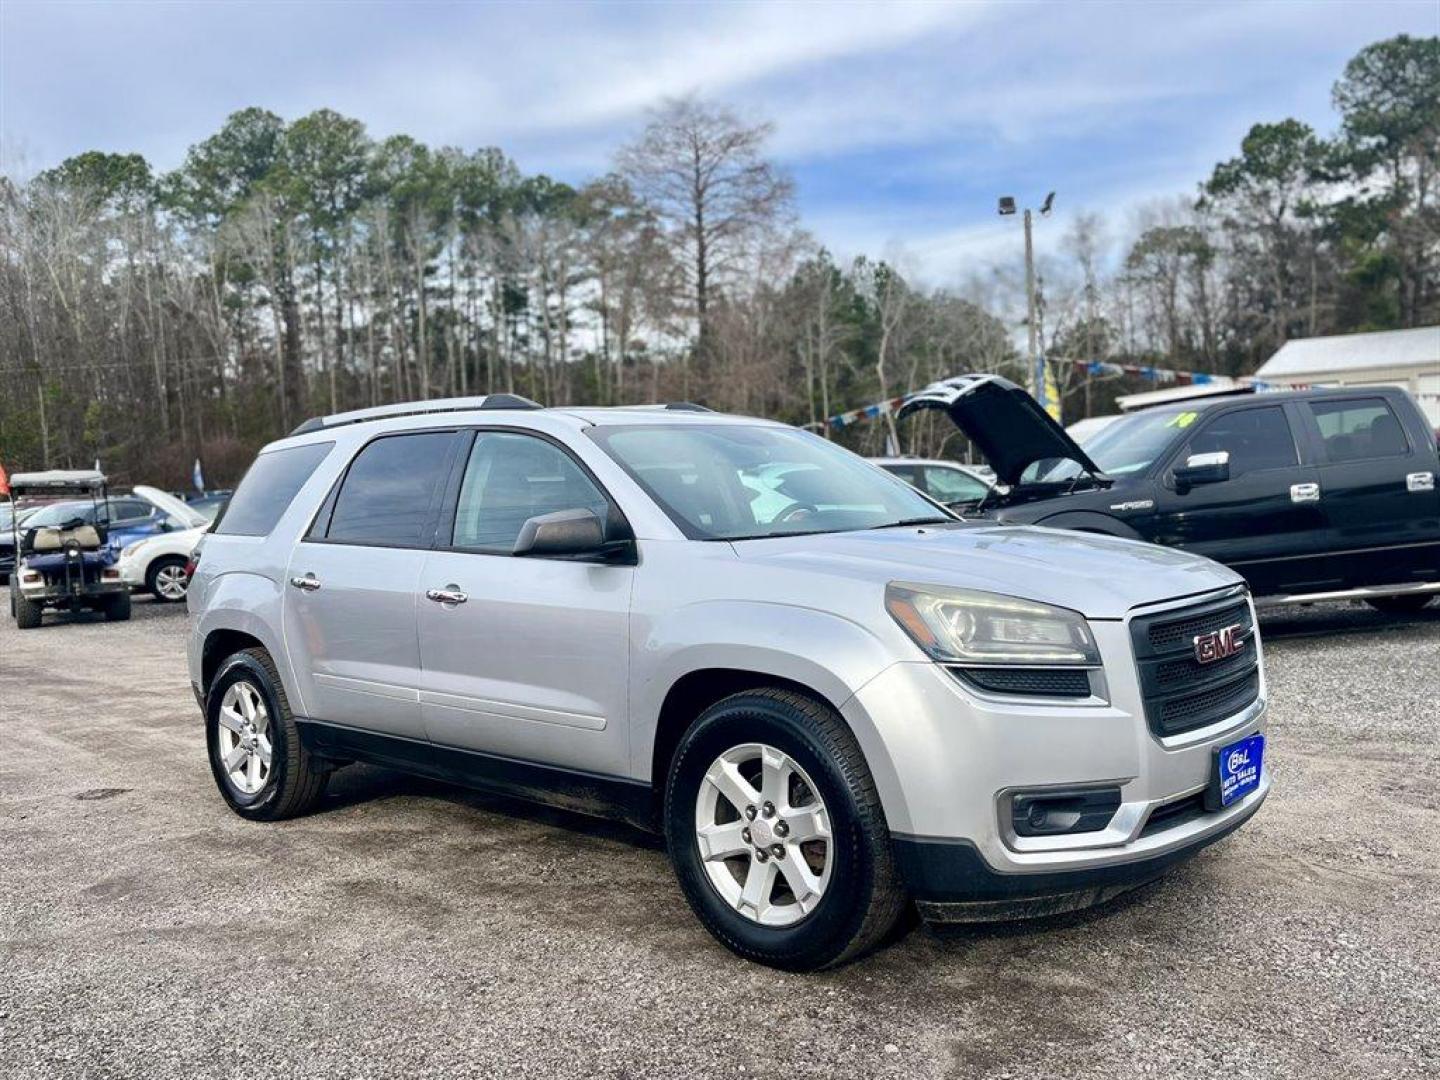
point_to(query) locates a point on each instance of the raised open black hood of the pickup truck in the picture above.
(1006, 423)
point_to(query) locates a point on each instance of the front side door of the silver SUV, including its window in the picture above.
(525, 657)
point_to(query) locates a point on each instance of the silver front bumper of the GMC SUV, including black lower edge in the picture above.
(947, 762)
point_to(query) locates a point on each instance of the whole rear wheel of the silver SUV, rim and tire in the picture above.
(261, 767)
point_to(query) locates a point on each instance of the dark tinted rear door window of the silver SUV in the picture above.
(391, 490)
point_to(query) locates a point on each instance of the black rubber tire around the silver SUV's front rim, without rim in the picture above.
(863, 899)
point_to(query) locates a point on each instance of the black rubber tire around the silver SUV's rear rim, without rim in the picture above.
(297, 780)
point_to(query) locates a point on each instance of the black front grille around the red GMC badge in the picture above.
(1180, 693)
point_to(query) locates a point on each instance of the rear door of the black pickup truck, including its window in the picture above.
(1380, 490)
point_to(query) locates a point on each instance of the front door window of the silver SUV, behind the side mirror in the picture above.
(512, 479)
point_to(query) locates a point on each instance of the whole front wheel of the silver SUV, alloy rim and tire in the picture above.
(777, 833)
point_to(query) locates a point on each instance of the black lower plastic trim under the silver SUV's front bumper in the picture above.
(953, 872)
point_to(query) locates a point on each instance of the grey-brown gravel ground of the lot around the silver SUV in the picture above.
(414, 930)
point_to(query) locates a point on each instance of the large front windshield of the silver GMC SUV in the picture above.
(745, 483)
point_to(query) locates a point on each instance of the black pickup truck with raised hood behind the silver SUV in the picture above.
(1311, 495)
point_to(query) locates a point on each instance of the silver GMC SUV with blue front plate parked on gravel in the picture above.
(833, 696)
